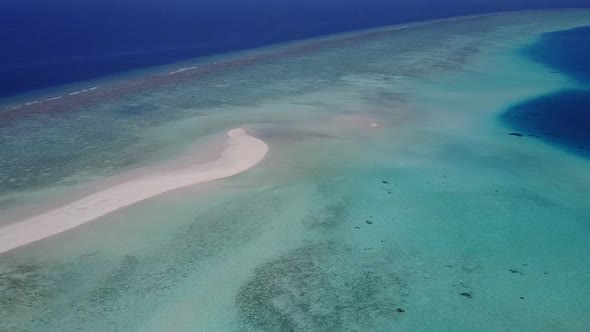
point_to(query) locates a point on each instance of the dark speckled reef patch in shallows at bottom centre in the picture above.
(308, 290)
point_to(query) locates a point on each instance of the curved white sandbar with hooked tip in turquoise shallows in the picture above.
(241, 153)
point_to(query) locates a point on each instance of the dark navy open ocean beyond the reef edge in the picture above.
(49, 43)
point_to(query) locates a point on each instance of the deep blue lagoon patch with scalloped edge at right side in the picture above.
(562, 117)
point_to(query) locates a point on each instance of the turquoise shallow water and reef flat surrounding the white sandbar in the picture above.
(435, 220)
